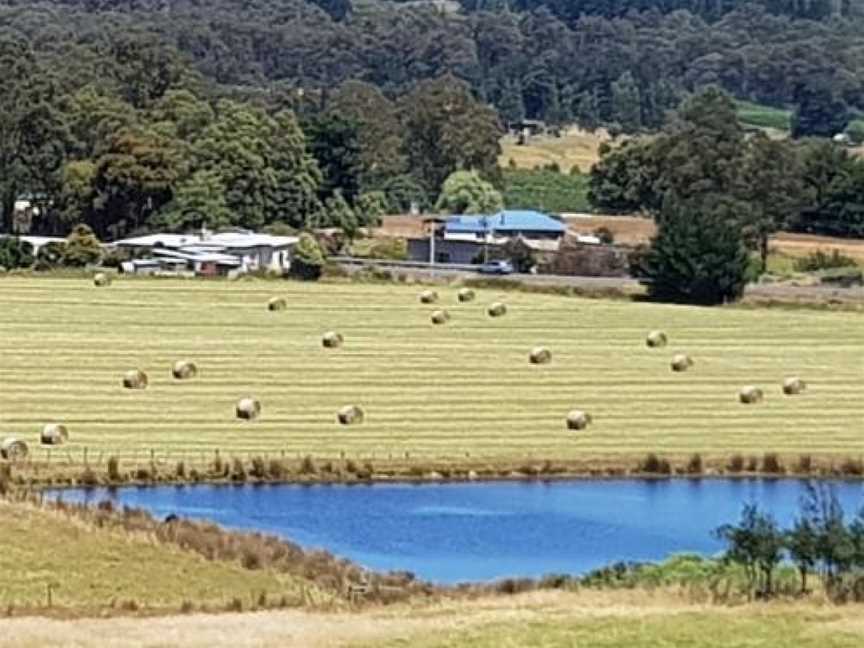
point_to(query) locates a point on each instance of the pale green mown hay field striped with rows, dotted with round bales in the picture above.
(444, 392)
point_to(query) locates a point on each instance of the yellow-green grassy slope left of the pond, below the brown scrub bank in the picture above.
(94, 569)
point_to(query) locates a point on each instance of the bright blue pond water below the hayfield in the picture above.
(479, 531)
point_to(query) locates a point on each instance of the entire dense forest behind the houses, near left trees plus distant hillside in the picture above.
(134, 114)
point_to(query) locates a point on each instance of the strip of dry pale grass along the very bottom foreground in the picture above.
(540, 619)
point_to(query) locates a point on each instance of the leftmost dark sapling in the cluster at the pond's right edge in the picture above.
(756, 543)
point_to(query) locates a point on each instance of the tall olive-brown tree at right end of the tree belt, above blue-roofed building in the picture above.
(447, 130)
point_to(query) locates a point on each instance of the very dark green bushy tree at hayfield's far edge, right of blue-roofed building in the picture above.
(698, 255)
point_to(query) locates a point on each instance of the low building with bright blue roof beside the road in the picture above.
(505, 224)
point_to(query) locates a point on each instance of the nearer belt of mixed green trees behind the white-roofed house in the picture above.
(129, 138)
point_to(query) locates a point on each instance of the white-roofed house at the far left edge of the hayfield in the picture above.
(208, 254)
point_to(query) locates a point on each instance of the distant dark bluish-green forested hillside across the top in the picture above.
(598, 61)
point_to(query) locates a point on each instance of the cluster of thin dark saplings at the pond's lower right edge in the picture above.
(820, 541)
